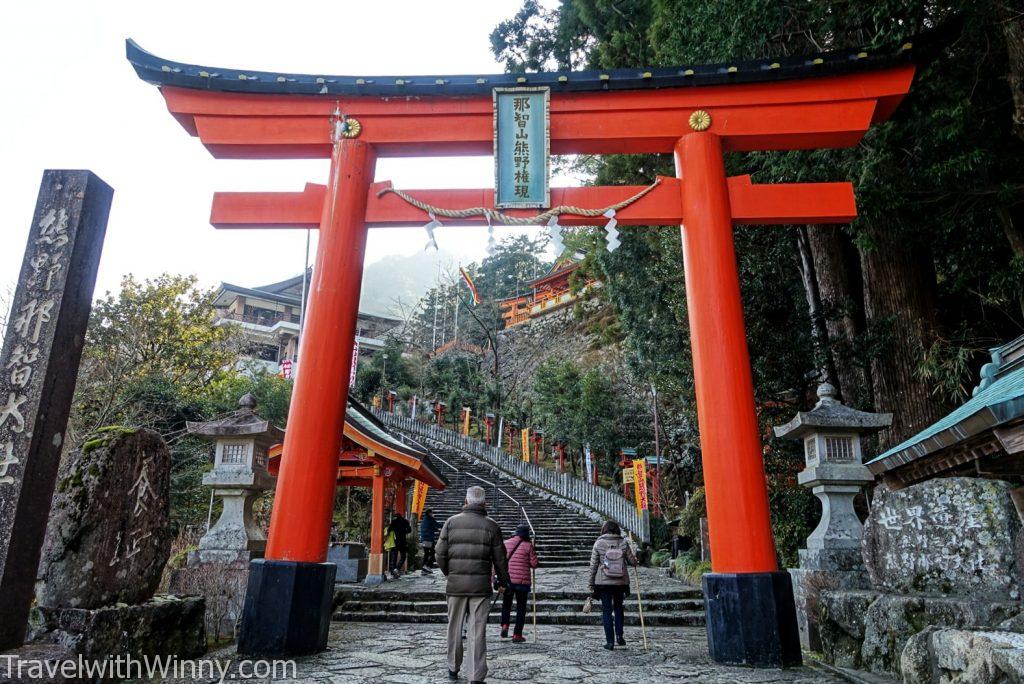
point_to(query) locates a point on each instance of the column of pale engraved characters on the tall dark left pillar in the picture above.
(30, 321)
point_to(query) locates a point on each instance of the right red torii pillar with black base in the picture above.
(749, 604)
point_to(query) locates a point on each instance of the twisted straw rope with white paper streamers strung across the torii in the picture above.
(550, 218)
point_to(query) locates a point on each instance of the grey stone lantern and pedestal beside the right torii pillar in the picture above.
(831, 435)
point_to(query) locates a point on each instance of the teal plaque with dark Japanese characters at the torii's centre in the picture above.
(522, 148)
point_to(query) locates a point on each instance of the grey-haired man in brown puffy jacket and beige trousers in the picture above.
(470, 550)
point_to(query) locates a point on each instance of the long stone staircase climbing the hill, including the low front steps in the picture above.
(564, 536)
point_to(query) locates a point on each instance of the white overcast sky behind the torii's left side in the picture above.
(72, 101)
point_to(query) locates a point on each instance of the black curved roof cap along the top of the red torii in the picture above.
(165, 72)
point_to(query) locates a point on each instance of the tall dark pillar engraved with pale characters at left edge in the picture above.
(38, 371)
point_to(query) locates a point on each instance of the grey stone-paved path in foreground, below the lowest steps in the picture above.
(415, 655)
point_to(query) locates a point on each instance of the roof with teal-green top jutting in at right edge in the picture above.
(998, 401)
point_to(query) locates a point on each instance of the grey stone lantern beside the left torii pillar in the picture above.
(239, 477)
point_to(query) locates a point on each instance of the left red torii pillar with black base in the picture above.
(288, 602)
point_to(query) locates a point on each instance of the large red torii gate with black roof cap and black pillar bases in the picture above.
(698, 114)
